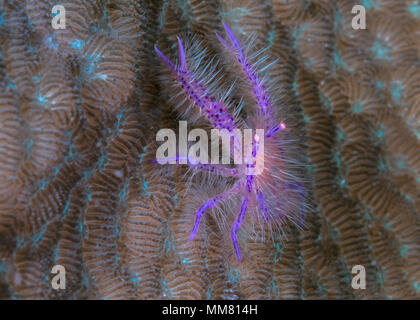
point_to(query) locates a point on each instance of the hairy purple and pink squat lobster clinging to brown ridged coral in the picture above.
(272, 195)
